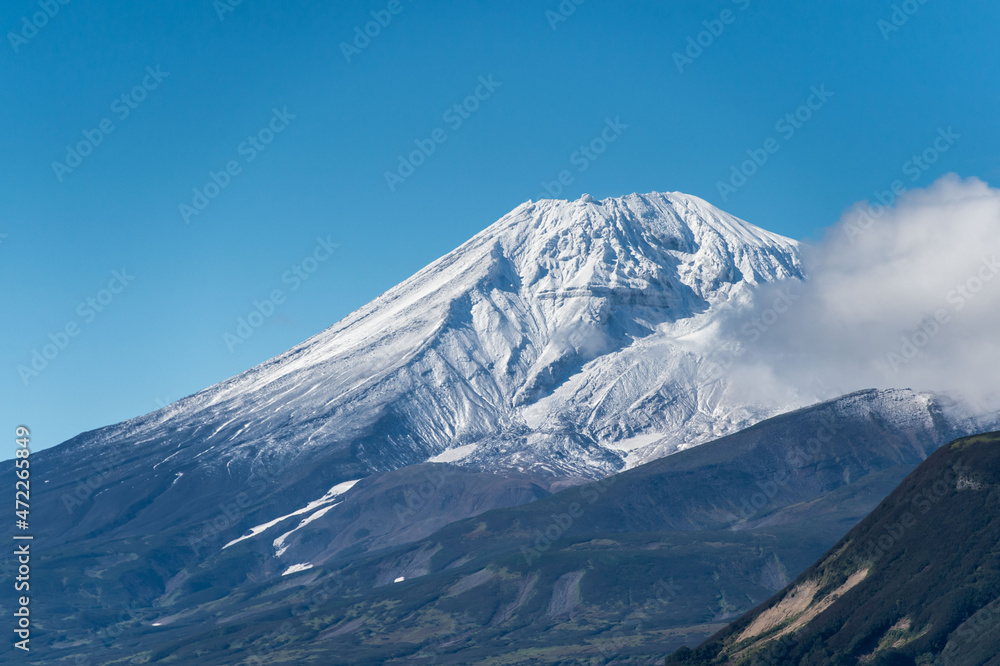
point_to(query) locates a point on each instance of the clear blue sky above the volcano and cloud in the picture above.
(323, 173)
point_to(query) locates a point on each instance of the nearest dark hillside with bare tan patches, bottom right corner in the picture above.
(931, 594)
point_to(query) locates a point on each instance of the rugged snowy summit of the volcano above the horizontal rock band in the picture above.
(639, 242)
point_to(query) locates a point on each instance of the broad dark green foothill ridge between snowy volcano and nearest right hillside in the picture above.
(626, 569)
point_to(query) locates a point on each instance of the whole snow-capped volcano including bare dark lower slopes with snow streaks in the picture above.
(563, 343)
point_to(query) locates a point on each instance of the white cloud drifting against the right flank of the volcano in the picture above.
(907, 299)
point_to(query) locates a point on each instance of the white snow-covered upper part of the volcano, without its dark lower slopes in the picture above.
(541, 343)
